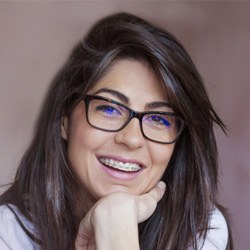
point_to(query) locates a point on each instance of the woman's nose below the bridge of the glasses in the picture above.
(130, 136)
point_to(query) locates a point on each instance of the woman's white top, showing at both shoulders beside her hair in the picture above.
(12, 236)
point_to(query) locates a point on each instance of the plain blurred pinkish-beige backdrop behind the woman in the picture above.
(36, 38)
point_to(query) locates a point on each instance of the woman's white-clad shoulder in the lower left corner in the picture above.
(12, 235)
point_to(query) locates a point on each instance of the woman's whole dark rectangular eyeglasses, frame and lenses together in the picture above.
(111, 116)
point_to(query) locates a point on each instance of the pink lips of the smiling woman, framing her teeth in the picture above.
(119, 174)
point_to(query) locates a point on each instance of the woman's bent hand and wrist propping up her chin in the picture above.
(112, 223)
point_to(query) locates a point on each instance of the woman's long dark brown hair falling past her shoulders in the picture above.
(45, 185)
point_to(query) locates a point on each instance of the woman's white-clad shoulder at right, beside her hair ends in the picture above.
(217, 234)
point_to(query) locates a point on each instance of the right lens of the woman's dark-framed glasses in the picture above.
(161, 127)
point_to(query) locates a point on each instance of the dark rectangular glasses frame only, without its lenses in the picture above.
(132, 114)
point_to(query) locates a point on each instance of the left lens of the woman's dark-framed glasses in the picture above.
(106, 115)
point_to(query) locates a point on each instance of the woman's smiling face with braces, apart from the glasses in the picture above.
(90, 150)
